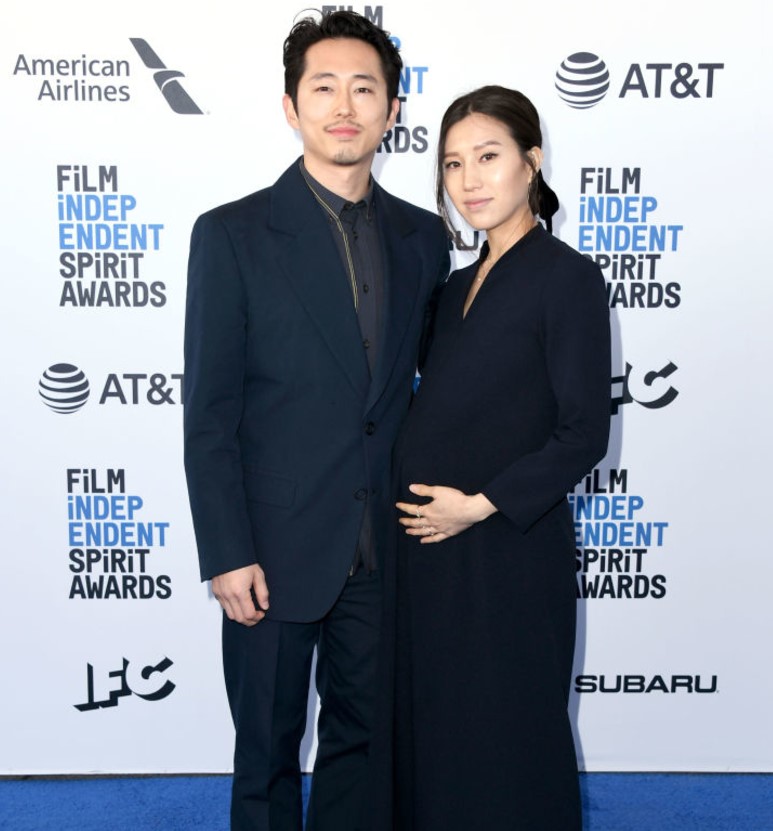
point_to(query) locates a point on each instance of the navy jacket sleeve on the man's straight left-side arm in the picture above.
(215, 341)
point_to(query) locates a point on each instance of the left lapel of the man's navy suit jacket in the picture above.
(313, 267)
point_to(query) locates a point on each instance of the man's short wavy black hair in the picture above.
(307, 32)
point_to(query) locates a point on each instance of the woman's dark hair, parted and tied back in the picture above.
(519, 115)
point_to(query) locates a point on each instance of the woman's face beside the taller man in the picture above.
(485, 175)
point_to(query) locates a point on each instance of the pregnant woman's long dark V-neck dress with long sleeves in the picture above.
(514, 403)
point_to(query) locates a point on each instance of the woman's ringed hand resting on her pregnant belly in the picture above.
(449, 513)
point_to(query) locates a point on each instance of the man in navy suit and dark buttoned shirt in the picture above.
(306, 305)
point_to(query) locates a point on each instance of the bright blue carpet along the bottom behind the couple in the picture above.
(612, 802)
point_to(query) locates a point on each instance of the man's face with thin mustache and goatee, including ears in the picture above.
(342, 111)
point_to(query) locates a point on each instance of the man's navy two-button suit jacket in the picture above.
(286, 434)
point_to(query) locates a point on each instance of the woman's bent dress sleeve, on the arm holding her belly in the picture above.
(576, 339)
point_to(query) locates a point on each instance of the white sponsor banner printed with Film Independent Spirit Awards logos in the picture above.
(122, 125)
